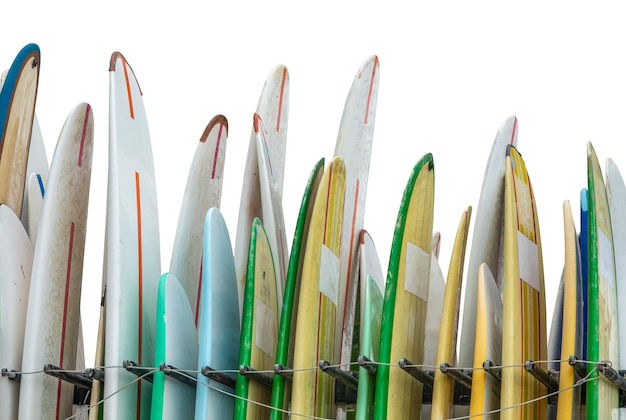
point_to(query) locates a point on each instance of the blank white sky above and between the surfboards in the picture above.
(451, 73)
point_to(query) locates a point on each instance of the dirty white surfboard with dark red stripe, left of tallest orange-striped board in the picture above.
(54, 300)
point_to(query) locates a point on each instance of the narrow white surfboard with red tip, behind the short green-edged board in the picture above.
(272, 207)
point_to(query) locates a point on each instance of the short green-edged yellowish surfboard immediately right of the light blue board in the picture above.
(259, 328)
